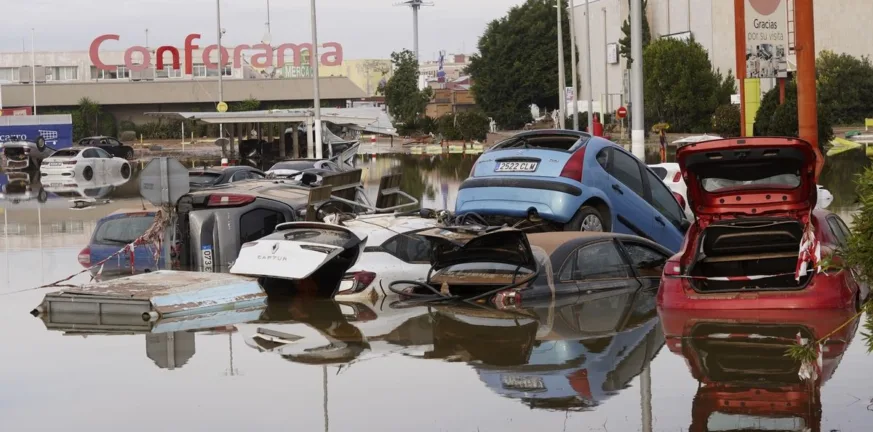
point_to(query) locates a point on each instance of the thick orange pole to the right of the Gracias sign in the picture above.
(807, 113)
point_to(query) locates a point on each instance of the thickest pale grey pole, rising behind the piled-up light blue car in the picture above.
(638, 135)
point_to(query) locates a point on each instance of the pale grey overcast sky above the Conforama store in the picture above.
(365, 28)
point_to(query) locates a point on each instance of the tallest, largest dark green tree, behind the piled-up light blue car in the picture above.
(517, 63)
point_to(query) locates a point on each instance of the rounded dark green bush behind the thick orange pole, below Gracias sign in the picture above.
(773, 119)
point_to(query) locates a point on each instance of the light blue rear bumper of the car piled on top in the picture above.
(553, 200)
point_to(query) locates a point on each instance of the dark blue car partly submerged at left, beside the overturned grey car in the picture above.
(111, 234)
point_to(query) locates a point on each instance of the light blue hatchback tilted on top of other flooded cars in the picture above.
(572, 181)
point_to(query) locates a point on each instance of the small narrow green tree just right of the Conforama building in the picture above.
(405, 101)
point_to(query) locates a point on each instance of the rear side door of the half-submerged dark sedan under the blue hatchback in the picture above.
(596, 267)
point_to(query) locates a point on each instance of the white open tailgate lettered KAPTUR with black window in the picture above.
(295, 250)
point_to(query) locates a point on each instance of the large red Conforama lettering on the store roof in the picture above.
(263, 59)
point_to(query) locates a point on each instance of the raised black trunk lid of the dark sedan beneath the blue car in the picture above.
(472, 244)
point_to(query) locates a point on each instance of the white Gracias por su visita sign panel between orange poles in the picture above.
(766, 38)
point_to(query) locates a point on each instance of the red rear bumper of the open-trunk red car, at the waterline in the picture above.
(824, 291)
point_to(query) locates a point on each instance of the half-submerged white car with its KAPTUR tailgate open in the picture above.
(354, 261)
